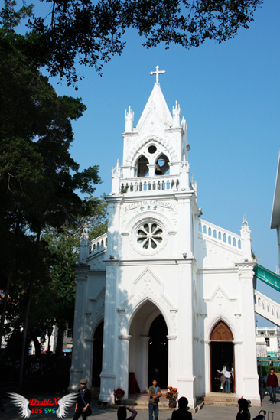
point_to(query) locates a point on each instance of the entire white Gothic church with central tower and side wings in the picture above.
(163, 292)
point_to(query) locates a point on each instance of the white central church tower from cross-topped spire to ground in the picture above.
(153, 217)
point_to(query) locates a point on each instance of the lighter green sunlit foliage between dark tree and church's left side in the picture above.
(62, 245)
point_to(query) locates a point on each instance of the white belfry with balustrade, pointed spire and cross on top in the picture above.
(155, 149)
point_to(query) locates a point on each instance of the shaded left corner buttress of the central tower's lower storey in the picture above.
(108, 374)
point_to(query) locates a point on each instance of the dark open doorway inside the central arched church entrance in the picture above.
(158, 352)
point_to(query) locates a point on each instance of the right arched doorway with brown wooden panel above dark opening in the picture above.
(221, 352)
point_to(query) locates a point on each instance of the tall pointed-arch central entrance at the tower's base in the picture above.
(148, 348)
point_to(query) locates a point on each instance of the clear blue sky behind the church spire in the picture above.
(229, 94)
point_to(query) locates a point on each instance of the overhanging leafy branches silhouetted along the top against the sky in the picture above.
(91, 33)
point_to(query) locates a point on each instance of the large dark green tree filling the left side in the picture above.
(39, 182)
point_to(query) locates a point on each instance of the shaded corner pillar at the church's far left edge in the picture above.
(76, 370)
